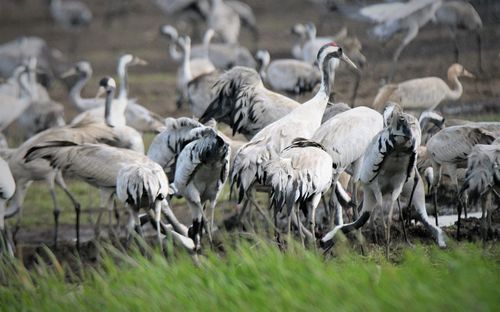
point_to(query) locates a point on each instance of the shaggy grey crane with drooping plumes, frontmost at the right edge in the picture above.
(481, 180)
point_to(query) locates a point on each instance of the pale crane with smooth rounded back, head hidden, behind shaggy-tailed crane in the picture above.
(346, 137)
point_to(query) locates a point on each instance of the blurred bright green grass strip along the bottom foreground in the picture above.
(260, 277)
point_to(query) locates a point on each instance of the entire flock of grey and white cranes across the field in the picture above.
(300, 153)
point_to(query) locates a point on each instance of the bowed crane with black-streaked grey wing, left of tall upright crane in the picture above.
(201, 171)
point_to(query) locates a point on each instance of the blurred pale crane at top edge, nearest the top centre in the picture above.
(224, 20)
